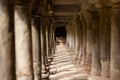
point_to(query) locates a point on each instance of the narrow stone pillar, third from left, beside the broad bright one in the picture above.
(36, 48)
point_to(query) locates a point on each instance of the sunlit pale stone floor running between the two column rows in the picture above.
(64, 66)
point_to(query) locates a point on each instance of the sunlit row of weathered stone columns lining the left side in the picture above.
(23, 42)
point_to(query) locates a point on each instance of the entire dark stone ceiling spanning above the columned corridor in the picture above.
(63, 10)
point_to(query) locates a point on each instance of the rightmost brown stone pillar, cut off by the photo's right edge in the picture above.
(115, 41)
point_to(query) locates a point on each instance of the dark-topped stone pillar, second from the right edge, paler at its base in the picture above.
(105, 23)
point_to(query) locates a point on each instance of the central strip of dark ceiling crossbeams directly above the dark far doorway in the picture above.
(63, 10)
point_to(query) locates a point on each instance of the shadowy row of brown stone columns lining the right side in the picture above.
(98, 40)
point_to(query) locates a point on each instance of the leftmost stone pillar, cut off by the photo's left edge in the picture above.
(7, 55)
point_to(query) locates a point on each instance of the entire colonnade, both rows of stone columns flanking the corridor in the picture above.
(27, 41)
